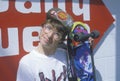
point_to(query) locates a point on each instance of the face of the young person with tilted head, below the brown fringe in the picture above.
(49, 36)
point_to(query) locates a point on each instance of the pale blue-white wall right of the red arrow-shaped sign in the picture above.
(107, 52)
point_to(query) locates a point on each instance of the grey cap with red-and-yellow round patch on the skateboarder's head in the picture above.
(61, 16)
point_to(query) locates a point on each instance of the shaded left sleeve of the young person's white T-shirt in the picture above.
(24, 73)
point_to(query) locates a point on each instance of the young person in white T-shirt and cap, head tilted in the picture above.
(48, 62)
